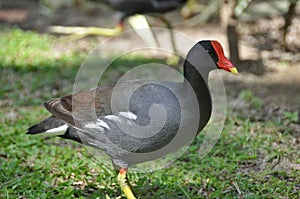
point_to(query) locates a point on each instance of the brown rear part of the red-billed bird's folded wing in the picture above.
(82, 105)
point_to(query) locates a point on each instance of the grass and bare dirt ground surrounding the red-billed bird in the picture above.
(257, 155)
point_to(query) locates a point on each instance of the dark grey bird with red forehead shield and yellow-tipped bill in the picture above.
(71, 118)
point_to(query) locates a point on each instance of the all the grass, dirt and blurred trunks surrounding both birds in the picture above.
(257, 155)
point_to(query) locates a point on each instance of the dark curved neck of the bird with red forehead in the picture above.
(198, 80)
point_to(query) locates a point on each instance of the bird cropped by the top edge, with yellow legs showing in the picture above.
(134, 10)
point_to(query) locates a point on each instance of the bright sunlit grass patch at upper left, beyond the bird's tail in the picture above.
(31, 51)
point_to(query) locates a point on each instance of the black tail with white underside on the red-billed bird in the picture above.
(48, 123)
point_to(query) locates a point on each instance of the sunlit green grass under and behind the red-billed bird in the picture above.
(250, 160)
